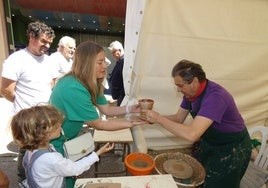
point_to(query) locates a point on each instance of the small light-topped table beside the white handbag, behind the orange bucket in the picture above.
(123, 137)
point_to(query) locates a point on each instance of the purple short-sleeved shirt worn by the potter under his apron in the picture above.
(218, 105)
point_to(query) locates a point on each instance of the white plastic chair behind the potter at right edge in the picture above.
(262, 157)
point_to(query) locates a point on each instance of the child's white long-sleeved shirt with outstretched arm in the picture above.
(50, 168)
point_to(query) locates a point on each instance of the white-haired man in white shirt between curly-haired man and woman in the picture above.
(63, 58)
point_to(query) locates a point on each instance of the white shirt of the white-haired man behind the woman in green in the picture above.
(62, 65)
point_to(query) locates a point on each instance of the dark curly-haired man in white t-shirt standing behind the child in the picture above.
(27, 75)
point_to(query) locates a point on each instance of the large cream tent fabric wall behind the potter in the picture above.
(228, 38)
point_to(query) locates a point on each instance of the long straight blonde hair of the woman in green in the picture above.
(83, 68)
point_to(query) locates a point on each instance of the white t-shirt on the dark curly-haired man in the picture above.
(33, 75)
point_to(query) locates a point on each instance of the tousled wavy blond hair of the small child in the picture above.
(31, 127)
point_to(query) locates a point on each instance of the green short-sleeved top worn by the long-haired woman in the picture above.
(72, 98)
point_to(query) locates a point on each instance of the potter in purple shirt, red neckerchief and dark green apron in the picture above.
(224, 146)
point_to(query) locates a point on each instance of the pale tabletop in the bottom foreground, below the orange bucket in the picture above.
(150, 181)
